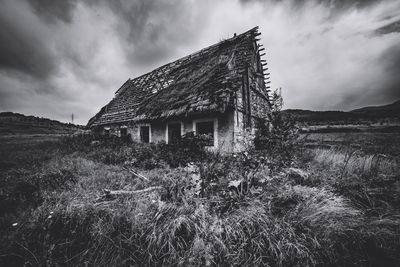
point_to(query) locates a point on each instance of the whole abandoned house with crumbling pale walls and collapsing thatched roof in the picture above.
(217, 92)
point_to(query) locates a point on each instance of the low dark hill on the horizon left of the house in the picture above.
(15, 123)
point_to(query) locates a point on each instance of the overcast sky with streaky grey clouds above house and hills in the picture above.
(63, 57)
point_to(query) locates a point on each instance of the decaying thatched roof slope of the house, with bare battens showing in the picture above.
(205, 81)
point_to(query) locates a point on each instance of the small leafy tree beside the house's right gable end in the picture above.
(276, 133)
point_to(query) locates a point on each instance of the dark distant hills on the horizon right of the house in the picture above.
(373, 114)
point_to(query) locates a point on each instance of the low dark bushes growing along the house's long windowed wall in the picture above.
(115, 150)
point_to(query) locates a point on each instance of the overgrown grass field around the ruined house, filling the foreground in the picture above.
(330, 207)
